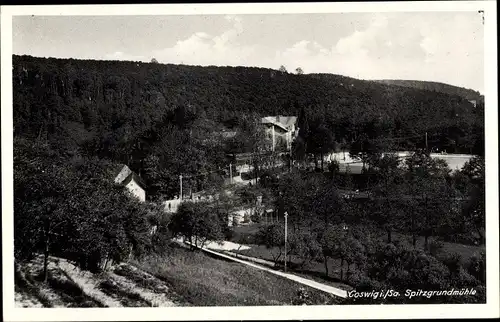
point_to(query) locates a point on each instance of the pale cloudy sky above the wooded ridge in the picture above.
(444, 47)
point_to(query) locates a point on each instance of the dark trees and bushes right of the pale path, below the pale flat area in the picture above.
(421, 197)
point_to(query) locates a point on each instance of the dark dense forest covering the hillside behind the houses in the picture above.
(166, 120)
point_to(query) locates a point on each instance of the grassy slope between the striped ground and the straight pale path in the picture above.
(203, 280)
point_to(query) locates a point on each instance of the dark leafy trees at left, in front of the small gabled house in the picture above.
(69, 206)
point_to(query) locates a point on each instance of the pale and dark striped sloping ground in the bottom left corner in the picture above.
(67, 286)
